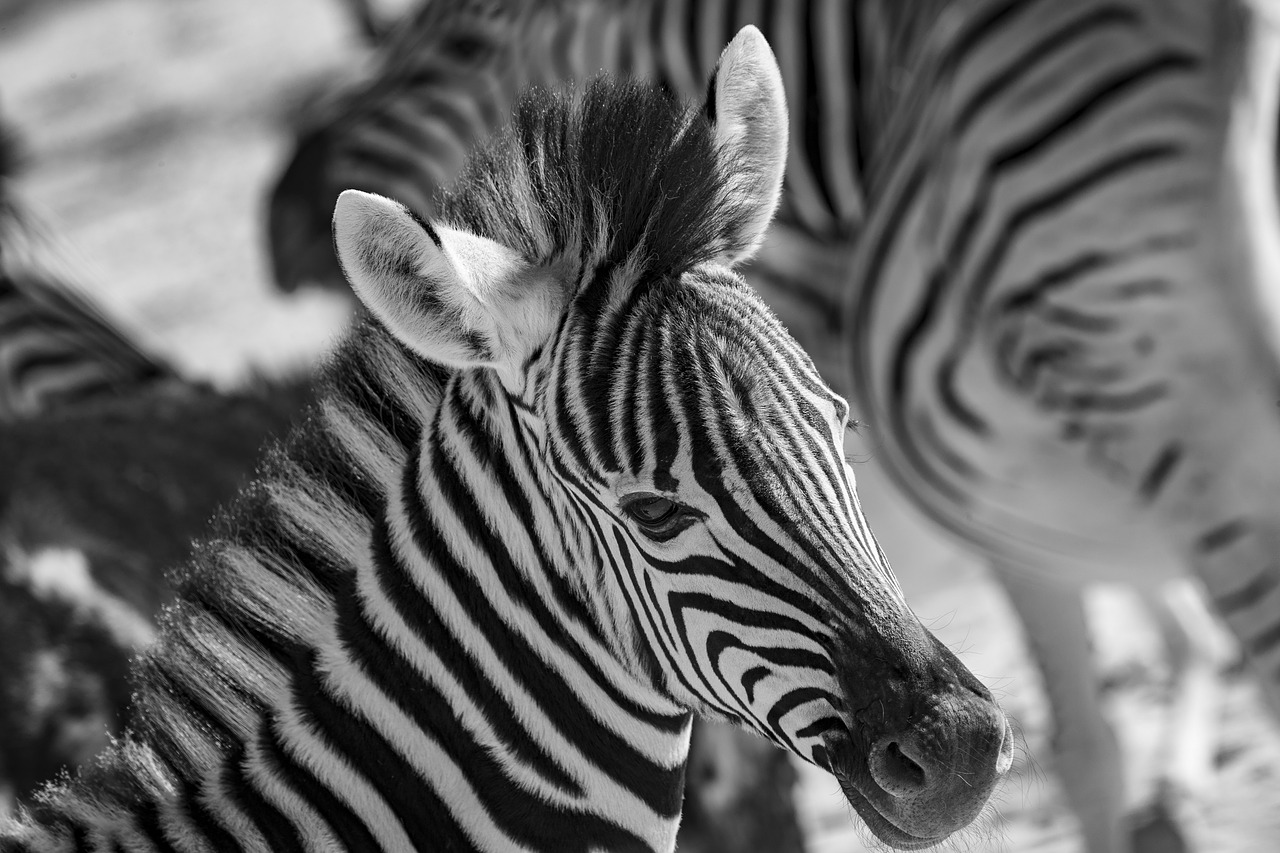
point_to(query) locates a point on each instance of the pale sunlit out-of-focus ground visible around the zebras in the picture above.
(154, 130)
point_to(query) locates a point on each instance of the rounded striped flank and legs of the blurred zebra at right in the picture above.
(1058, 325)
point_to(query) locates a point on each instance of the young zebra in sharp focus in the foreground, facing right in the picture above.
(573, 485)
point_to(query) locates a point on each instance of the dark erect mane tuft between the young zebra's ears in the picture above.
(624, 168)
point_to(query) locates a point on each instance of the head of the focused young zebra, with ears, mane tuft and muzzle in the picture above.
(678, 439)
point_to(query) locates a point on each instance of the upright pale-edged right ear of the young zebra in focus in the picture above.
(748, 110)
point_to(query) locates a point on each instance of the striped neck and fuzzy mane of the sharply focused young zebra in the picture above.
(394, 647)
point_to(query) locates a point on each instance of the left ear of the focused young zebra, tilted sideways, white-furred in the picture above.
(454, 298)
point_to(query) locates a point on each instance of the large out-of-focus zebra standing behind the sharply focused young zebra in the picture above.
(1021, 190)
